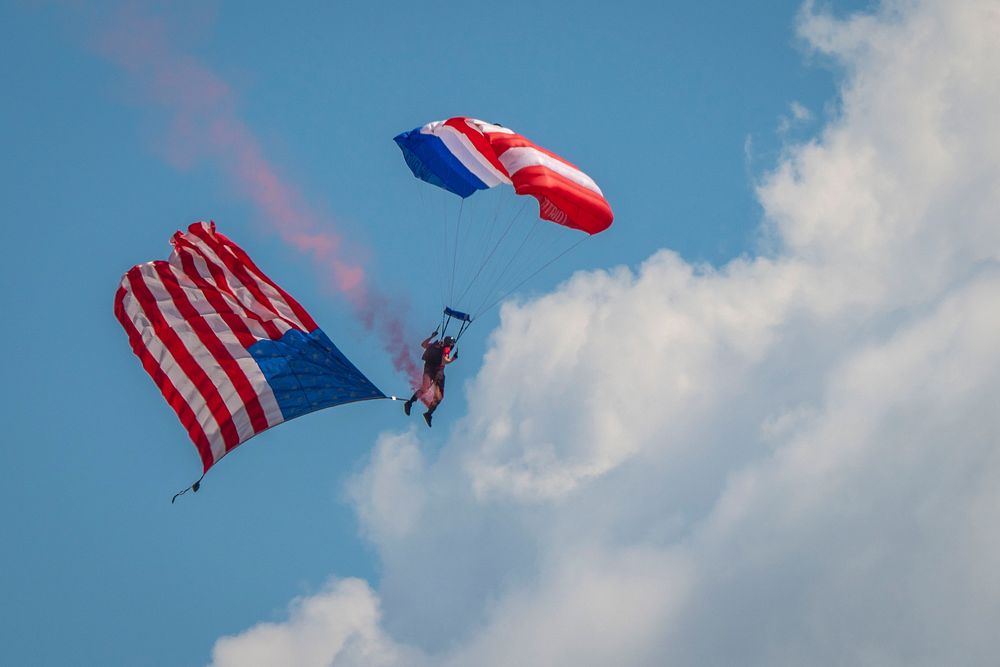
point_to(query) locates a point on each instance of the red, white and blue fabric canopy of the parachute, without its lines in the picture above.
(463, 155)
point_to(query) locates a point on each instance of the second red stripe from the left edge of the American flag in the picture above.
(202, 383)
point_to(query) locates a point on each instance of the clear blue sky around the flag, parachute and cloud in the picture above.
(678, 110)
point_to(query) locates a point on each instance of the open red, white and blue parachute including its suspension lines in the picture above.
(493, 251)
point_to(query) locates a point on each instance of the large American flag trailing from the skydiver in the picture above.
(232, 352)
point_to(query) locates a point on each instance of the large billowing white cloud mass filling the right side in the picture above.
(792, 459)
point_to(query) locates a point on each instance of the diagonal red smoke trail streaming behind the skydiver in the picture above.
(205, 125)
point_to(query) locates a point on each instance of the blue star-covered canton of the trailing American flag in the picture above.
(307, 372)
